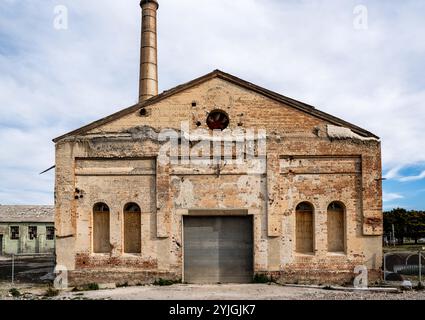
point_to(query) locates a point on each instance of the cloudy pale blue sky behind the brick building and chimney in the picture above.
(323, 52)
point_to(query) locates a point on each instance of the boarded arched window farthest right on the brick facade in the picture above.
(336, 227)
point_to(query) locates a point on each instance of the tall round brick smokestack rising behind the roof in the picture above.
(149, 53)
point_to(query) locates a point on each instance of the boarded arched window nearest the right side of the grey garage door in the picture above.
(304, 228)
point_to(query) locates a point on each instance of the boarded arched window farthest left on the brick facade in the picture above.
(101, 226)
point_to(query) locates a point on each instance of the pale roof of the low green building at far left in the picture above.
(27, 214)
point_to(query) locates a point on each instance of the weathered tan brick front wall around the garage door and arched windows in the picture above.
(303, 164)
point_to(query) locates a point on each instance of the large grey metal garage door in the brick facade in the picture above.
(218, 249)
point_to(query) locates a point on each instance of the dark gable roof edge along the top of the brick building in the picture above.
(232, 79)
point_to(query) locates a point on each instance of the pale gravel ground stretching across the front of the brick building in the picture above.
(216, 292)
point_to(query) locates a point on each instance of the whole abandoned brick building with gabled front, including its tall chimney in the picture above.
(215, 181)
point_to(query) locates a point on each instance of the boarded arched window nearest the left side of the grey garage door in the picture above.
(132, 228)
